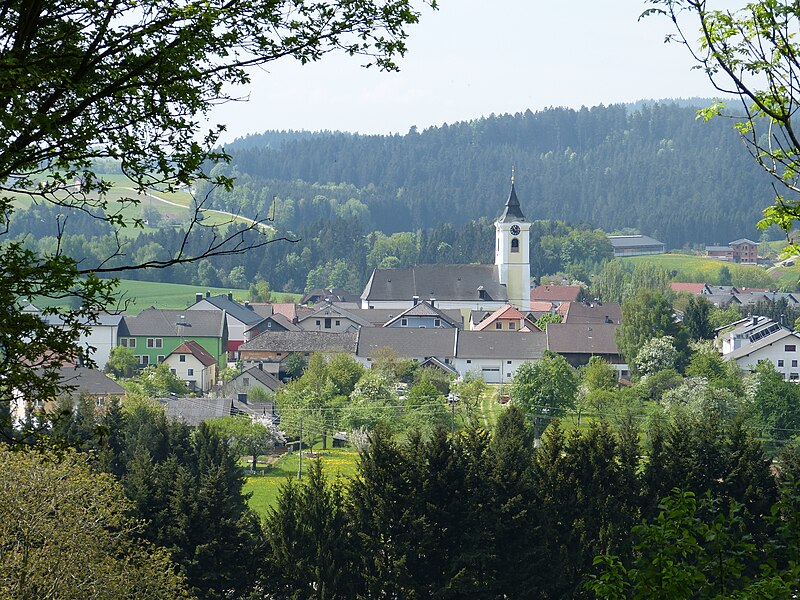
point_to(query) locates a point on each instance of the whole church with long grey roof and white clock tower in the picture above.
(472, 287)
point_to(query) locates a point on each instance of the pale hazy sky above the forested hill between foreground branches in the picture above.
(473, 58)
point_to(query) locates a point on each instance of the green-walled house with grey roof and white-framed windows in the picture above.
(154, 333)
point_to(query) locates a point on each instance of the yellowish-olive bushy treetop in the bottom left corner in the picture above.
(66, 532)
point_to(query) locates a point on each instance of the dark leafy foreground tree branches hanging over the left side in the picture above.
(82, 83)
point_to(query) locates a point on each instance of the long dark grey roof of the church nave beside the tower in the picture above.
(442, 282)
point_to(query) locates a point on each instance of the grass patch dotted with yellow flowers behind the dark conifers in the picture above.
(265, 488)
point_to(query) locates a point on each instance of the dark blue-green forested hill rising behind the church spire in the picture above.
(656, 168)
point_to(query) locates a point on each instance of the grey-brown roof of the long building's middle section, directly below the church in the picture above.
(408, 341)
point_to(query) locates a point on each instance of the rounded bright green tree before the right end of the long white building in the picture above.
(547, 386)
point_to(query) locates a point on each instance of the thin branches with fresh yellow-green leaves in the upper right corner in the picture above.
(750, 52)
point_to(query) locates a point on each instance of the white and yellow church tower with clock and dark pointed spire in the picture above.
(512, 252)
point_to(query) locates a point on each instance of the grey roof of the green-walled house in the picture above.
(175, 323)
